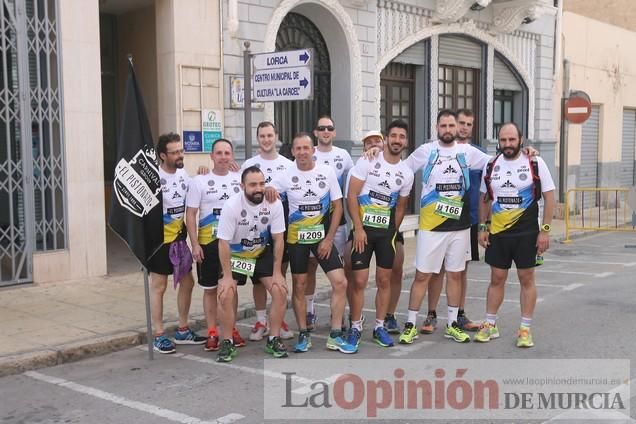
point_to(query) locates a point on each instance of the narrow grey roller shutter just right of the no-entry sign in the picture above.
(588, 172)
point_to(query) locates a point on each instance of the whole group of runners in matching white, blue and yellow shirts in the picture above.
(274, 213)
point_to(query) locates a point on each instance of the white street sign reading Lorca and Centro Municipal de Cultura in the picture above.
(283, 76)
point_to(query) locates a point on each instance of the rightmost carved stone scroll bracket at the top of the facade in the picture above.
(509, 15)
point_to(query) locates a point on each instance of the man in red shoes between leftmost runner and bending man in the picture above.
(207, 195)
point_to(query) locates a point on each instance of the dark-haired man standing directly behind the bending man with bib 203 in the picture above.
(270, 163)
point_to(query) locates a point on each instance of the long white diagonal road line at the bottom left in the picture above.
(139, 406)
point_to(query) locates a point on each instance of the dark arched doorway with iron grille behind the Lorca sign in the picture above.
(298, 32)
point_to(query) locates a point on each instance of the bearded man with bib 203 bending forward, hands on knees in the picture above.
(247, 229)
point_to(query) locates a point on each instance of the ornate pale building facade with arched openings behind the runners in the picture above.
(375, 61)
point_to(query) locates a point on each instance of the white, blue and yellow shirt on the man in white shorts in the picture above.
(446, 180)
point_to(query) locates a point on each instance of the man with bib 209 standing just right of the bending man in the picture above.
(315, 209)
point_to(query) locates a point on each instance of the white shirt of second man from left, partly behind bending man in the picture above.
(209, 193)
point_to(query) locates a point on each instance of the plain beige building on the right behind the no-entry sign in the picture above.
(596, 58)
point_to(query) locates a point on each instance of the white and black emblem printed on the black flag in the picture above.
(137, 184)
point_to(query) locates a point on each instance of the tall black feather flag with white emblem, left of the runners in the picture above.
(136, 207)
